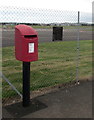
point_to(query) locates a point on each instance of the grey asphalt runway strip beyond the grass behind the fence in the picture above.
(45, 35)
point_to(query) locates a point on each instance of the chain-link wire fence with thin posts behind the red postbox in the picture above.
(60, 62)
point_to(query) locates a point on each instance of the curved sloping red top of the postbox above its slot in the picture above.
(26, 30)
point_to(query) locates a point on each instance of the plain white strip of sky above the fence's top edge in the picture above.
(74, 5)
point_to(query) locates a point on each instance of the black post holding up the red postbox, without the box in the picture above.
(26, 84)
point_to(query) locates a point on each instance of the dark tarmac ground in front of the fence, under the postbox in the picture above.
(71, 102)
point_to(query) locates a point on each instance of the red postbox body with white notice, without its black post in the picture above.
(26, 43)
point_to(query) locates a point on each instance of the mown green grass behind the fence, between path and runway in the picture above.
(56, 65)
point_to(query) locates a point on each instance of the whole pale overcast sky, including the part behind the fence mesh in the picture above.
(47, 11)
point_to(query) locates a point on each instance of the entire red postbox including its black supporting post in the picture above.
(26, 50)
